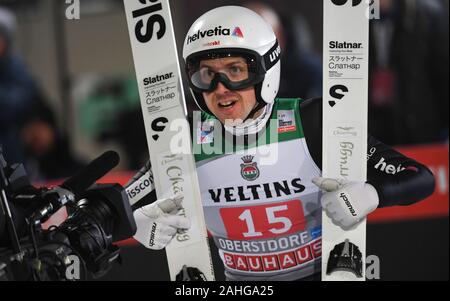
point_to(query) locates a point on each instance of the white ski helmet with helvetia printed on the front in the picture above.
(233, 31)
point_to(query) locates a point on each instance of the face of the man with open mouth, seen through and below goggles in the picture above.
(222, 102)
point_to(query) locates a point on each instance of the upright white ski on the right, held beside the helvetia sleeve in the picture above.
(345, 92)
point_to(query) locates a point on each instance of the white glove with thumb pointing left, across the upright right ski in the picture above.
(345, 202)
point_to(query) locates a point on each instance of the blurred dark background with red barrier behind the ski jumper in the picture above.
(68, 92)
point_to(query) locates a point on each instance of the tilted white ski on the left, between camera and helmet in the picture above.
(162, 101)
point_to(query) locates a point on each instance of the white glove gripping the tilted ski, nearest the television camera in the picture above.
(158, 222)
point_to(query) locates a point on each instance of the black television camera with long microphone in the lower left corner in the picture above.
(98, 216)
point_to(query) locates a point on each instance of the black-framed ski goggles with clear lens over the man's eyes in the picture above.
(236, 69)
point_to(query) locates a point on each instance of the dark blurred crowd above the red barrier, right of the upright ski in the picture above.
(408, 91)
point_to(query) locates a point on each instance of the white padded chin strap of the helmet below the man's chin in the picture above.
(251, 126)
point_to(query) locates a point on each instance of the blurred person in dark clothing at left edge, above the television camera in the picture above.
(28, 129)
